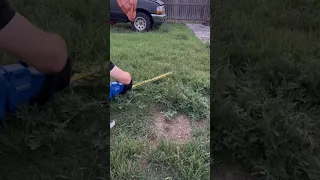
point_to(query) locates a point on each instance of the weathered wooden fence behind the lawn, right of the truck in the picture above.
(187, 10)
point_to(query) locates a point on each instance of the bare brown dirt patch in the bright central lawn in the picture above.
(177, 130)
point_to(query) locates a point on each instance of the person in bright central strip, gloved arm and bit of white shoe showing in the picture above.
(122, 77)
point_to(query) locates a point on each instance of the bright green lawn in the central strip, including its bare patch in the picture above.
(162, 128)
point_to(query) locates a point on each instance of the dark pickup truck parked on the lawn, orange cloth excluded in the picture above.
(149, 13)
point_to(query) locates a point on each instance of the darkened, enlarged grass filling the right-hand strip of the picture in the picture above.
(266, 84)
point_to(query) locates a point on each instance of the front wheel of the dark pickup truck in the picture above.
(141, 23)
